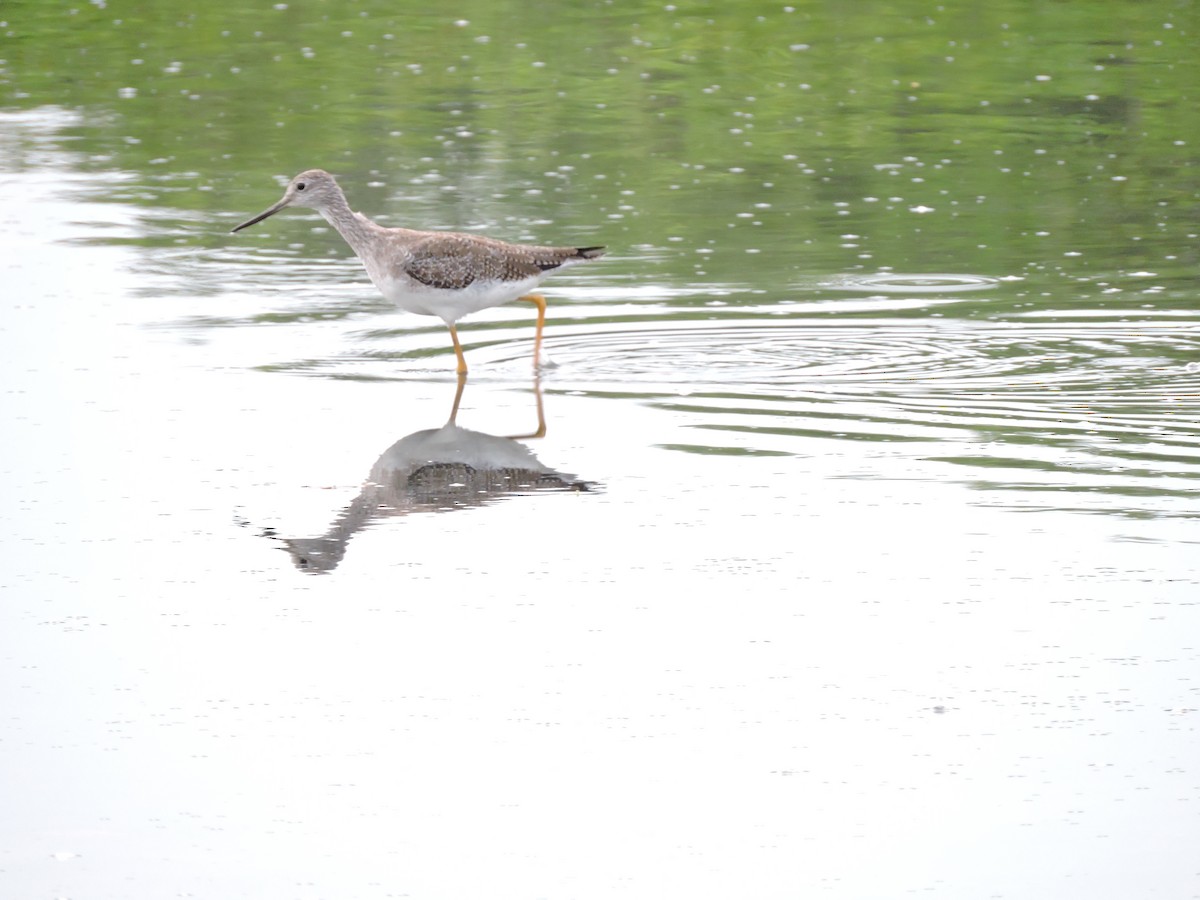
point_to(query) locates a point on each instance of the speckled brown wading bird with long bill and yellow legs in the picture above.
(443, 274)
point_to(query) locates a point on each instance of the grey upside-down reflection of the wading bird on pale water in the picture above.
(436, 471)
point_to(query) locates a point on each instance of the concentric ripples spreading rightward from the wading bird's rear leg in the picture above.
(1107, 416)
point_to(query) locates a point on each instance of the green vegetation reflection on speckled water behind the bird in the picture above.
(782, 141)
